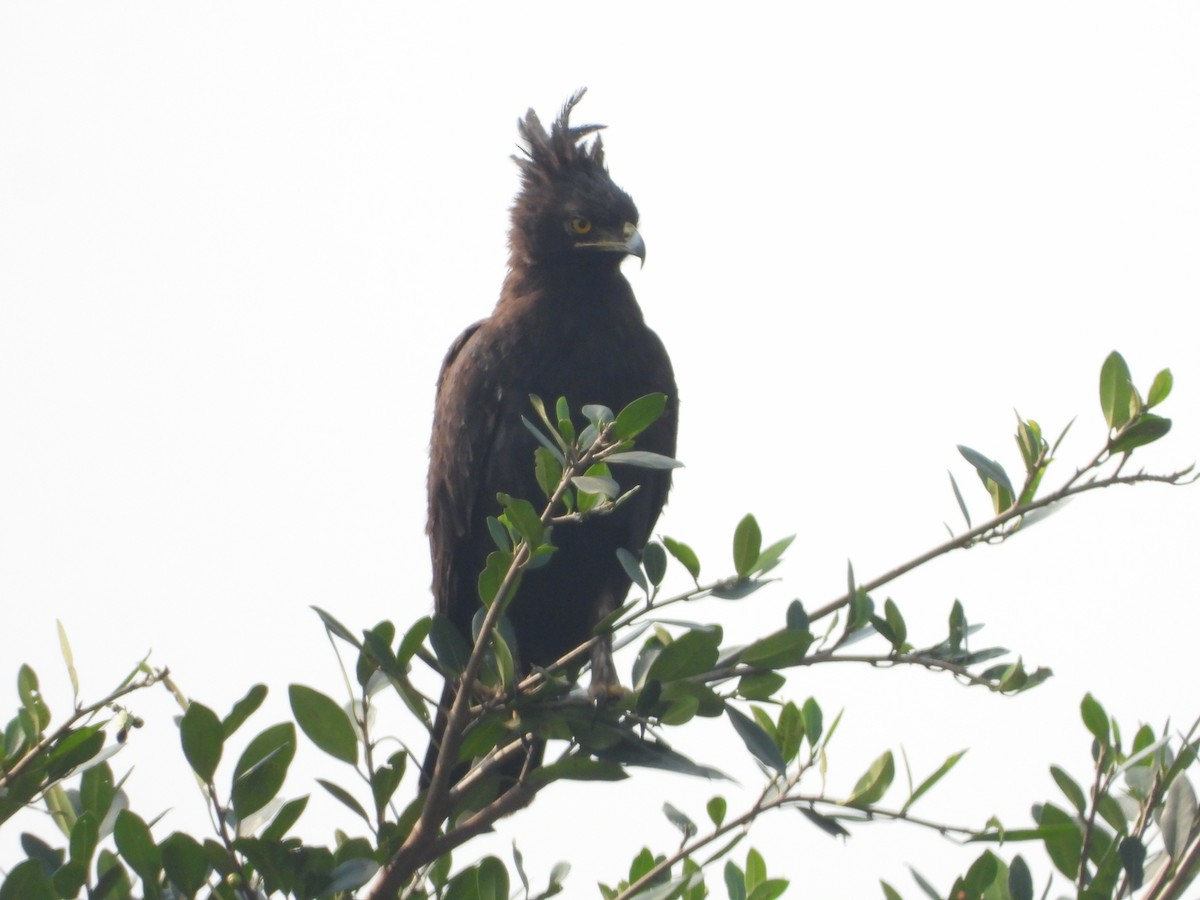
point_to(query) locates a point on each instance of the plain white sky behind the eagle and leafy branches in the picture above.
(236, 241)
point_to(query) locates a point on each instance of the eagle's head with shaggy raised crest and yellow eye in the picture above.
(569, 211)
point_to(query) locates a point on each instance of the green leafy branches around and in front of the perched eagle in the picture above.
(1135, 829)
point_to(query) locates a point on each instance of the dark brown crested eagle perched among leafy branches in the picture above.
(567, 325)
